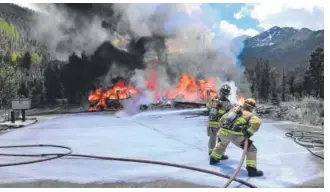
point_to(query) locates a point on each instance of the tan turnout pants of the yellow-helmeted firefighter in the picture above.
(237, 139)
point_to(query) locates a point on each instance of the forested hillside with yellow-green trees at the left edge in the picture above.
(22, 60)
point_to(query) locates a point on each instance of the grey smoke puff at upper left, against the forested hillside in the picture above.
(64, 31)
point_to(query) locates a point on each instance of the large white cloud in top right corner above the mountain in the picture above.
(298, 15)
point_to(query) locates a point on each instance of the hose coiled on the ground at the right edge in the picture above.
(308, 139)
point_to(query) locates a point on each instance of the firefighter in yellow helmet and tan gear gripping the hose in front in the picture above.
(236, 126)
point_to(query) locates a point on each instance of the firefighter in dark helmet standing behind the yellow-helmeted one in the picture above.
(218, 107)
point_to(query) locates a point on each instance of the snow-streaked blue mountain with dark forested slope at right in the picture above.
(285, 63)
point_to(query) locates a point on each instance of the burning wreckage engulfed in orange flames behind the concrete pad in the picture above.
(187, 93)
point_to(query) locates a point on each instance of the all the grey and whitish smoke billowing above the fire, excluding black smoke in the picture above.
(176, 34)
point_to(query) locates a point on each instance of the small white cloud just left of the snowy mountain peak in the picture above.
(234, 31)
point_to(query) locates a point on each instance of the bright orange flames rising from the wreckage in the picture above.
(187, 89)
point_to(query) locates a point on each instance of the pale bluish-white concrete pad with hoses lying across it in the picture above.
(159, 136)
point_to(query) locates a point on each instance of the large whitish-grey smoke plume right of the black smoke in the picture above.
(193, 47)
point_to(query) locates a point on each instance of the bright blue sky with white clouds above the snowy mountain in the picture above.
(250, 19)
